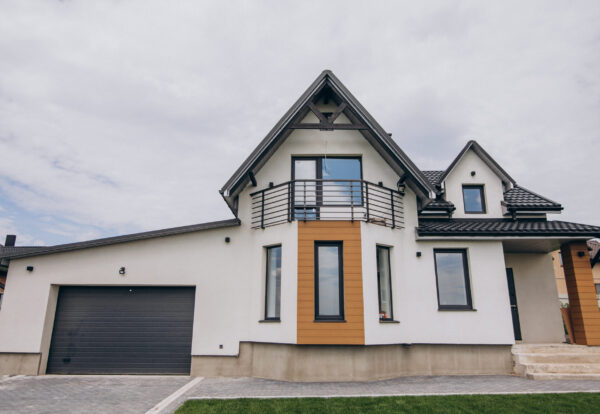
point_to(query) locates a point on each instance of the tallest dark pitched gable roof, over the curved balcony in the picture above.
(271, 142)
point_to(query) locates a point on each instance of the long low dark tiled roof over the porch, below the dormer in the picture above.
(505, 227)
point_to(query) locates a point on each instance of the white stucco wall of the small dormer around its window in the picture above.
(461, 174)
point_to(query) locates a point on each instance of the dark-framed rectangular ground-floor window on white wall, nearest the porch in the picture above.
(452, 275)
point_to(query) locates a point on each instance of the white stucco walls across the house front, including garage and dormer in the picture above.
(229, 278)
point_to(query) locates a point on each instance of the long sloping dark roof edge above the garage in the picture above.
(118, 239)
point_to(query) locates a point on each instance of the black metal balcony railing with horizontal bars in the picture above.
(309, 200)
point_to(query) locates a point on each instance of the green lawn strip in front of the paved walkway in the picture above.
(464, 404)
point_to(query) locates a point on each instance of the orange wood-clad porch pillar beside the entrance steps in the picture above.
(585, 315)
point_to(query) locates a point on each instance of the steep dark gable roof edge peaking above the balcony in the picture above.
(373, 132)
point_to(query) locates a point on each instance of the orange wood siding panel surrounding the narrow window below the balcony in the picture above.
(351, 332)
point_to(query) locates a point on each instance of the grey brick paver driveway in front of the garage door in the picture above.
(86, 394)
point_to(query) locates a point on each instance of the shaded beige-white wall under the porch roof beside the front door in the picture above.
(537, 297)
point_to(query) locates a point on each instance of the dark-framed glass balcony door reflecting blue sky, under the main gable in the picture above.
(325, 182)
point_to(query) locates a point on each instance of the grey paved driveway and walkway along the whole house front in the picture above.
(138, 394)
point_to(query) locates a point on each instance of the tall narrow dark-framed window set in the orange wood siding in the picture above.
(329, 281)
